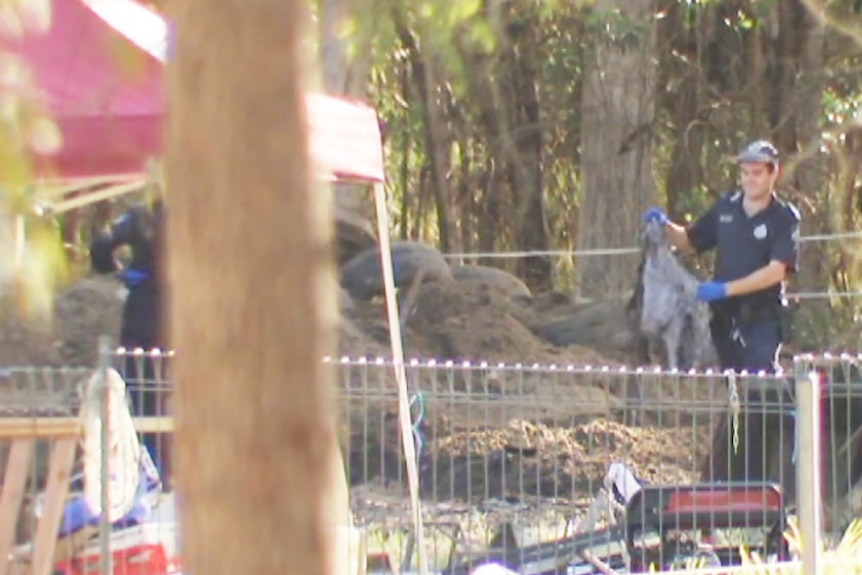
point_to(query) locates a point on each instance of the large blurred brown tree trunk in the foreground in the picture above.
(252, 298)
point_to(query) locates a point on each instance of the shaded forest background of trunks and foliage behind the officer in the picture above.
(536, 125)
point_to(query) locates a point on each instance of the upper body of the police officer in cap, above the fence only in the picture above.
(756, 237)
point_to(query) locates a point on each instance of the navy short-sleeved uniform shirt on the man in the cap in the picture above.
(745, 244)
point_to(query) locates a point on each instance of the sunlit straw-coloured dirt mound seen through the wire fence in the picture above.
(525, 459)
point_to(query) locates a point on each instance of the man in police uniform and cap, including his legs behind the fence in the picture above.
(756, 237)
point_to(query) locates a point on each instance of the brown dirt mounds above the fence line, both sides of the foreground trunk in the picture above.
(474, 317)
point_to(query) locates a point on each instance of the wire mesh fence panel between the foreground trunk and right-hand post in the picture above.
(534, 466)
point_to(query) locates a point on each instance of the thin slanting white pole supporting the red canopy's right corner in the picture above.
(400, 373)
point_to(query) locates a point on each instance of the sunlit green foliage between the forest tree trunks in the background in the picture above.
(477, 54)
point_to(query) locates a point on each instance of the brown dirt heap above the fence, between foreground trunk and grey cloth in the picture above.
(473, 321)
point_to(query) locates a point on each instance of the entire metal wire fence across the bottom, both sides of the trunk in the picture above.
(547, 469)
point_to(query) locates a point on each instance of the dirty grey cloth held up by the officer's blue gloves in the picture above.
(670, 310)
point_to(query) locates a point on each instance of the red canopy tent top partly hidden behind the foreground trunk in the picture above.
(110, 115)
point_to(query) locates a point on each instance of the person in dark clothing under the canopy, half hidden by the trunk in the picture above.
(141, 229)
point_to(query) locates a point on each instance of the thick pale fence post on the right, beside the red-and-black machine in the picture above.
(808, 470)
